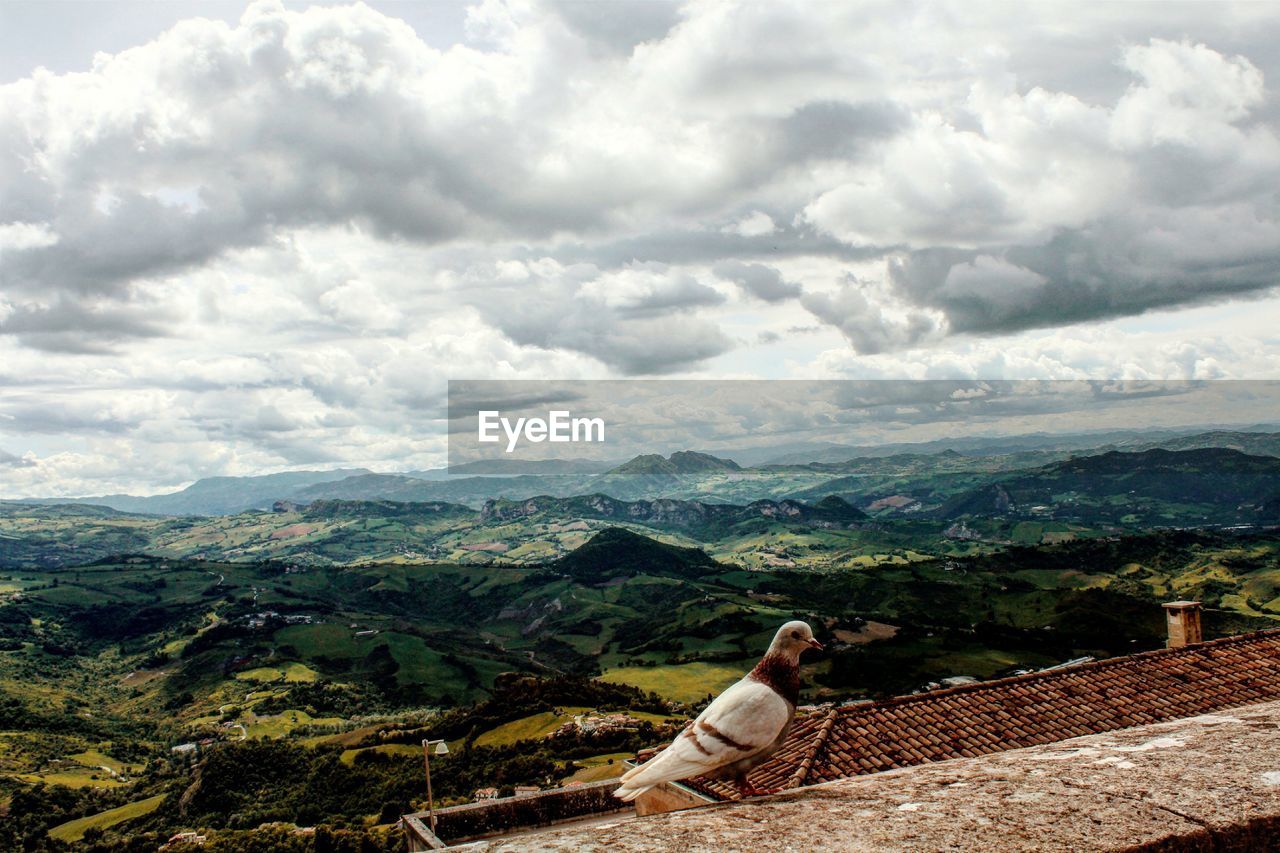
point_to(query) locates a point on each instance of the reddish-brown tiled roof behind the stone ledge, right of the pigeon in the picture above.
(1021, 711)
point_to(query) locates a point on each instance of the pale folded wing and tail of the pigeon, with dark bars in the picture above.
(740, 723)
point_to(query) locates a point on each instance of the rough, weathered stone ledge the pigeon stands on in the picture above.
(1204, 783)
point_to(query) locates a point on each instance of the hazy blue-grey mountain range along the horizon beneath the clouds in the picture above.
(685, 475)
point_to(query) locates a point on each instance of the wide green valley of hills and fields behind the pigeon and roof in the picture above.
(282, 665)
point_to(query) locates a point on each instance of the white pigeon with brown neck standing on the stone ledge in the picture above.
(740, 729)
